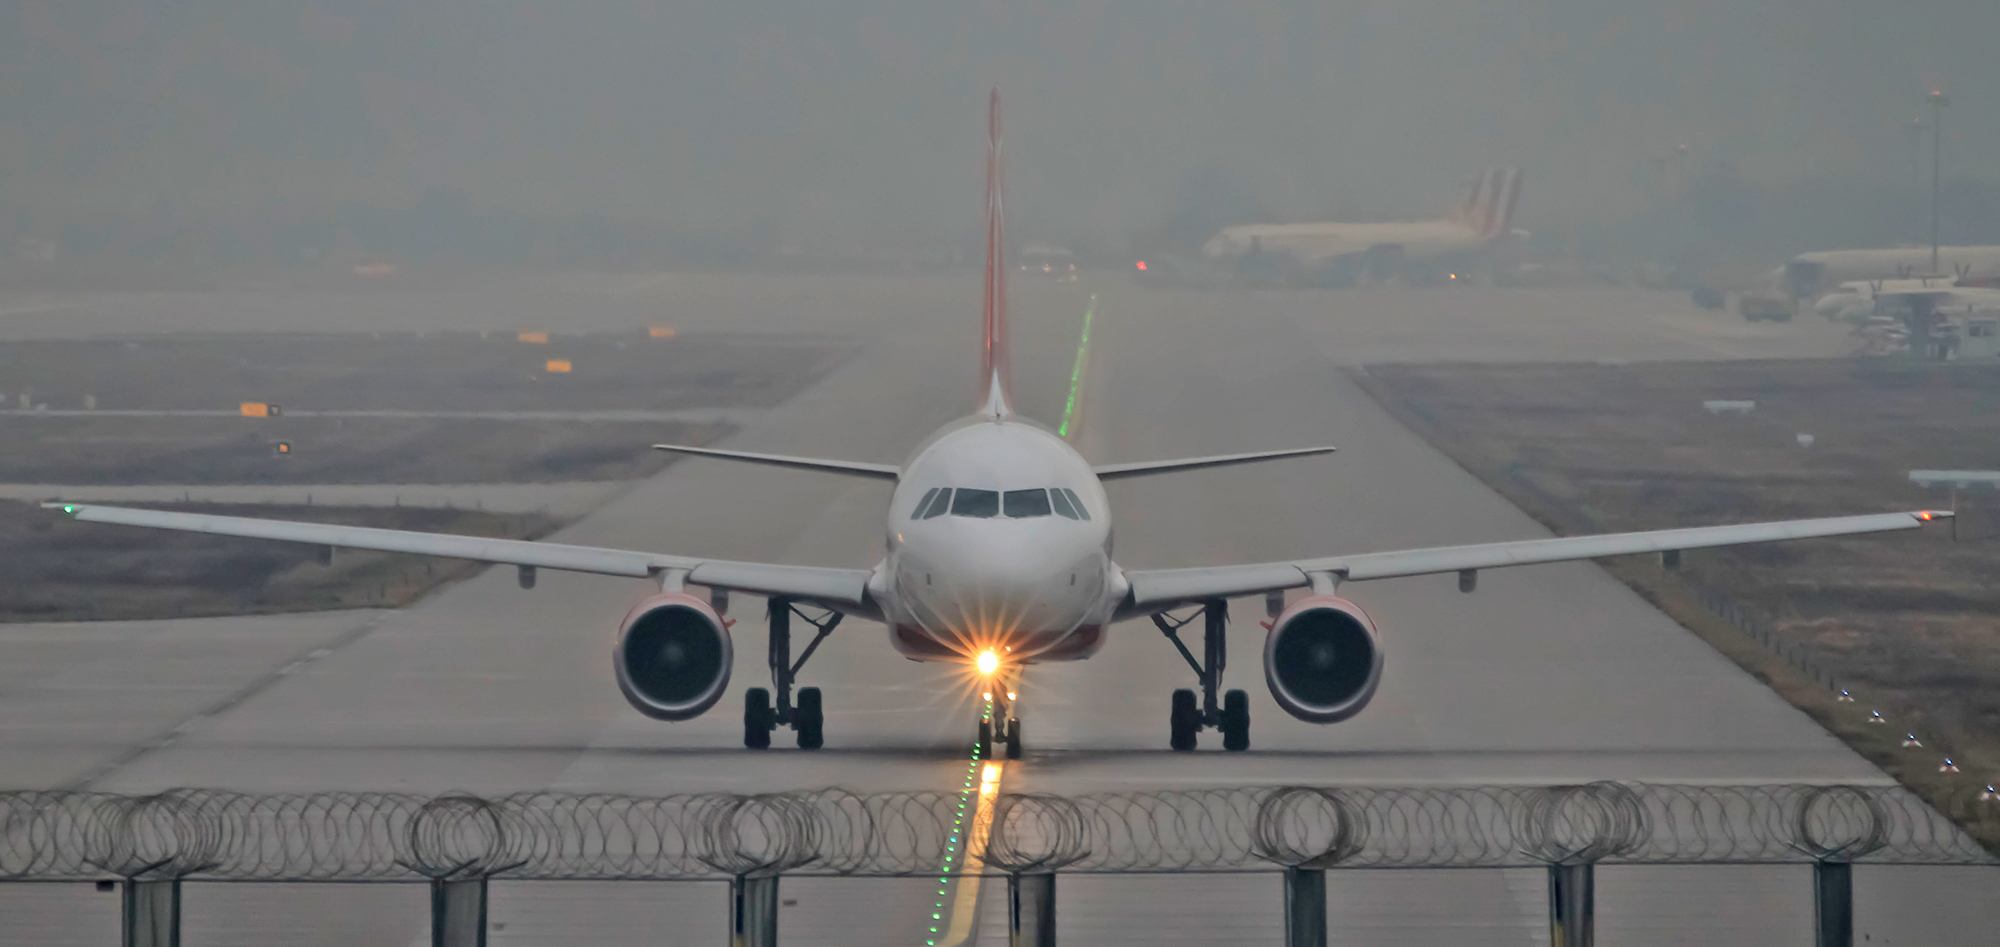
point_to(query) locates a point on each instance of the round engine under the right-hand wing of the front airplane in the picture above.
(1323, 660)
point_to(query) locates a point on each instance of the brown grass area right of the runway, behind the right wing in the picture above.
(1903, 622)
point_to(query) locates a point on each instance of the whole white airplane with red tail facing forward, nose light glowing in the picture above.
(999, 558)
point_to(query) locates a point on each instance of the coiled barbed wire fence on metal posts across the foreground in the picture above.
(459, 842)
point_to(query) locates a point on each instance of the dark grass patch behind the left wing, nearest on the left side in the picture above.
(55, 568)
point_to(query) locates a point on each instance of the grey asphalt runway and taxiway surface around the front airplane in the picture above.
(1547, 674)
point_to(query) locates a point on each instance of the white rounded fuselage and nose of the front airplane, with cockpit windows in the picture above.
(999, 538)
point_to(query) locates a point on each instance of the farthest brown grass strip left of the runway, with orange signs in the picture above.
(437, 373)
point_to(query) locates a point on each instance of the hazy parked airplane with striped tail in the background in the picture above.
(1485, 219)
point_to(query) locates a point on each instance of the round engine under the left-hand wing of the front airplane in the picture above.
(673, 656)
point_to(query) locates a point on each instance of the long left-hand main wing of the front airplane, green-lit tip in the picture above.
(843, 590)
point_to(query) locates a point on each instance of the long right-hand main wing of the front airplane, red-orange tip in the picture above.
(1167, 588)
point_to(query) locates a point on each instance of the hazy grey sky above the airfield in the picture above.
(863, 119)
